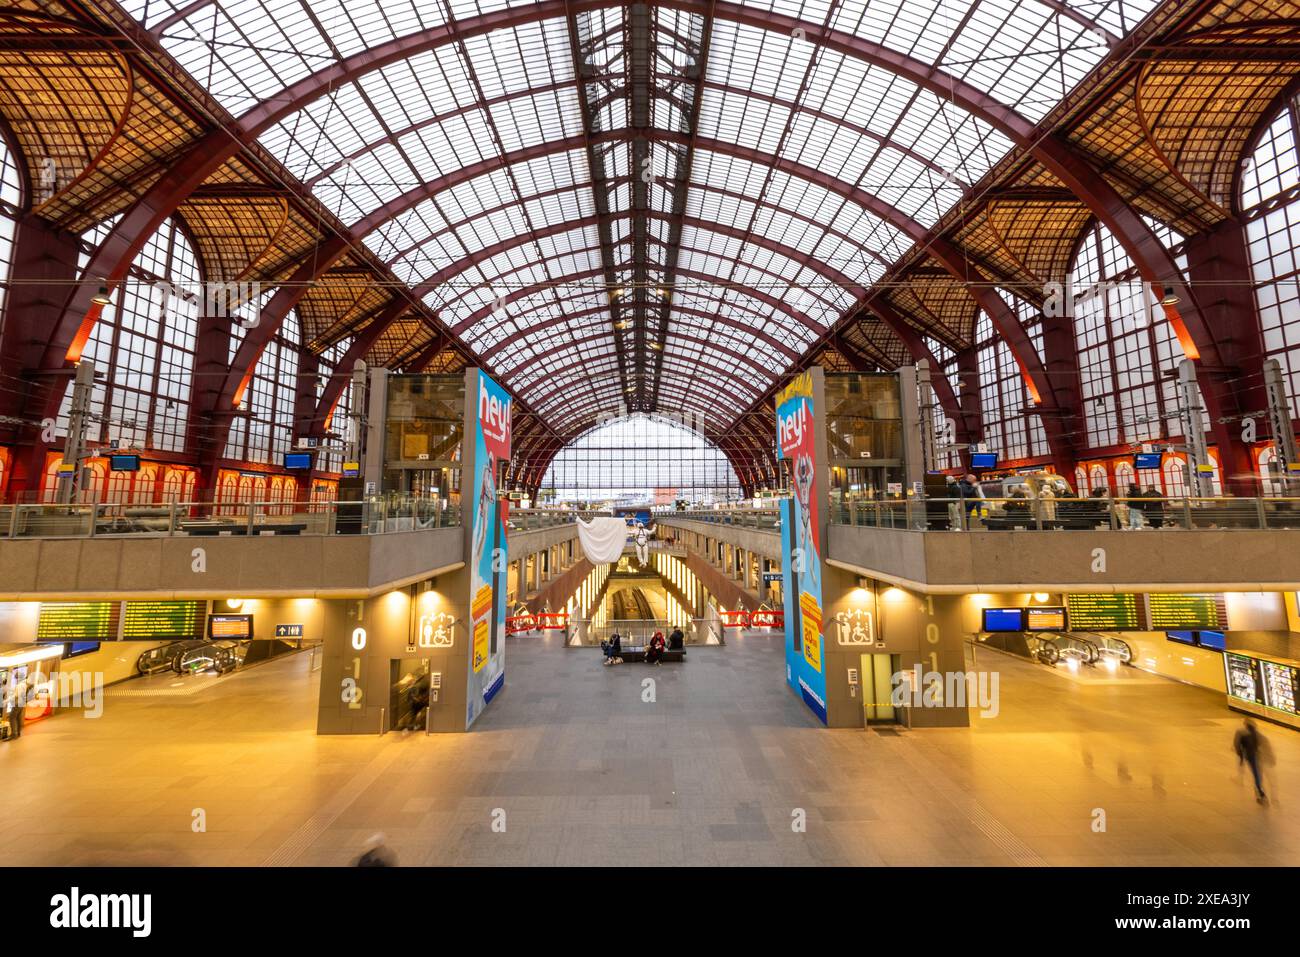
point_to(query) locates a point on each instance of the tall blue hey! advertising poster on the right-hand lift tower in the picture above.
(801, 558)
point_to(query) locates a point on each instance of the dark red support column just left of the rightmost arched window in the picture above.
(1220, 270)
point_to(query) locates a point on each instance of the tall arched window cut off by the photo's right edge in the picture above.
(1273, 240)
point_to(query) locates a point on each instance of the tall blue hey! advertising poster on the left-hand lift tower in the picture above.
(488, 556)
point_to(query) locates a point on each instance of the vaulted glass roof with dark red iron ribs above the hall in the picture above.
(661, 206)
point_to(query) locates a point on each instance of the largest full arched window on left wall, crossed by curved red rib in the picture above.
(144, 347)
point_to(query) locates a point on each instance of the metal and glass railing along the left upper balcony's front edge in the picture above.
(376, 516)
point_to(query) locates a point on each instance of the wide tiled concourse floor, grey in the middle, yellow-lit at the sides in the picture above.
(713, 772)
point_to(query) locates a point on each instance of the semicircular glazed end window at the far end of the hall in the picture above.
(640, 460)
